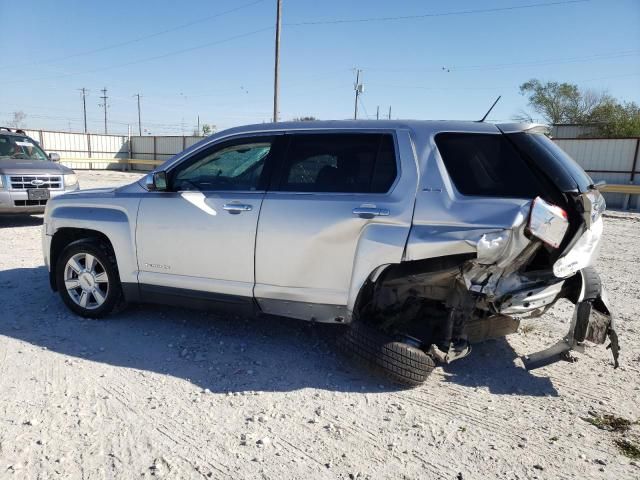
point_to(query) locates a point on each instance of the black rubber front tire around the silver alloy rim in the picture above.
(104, 254)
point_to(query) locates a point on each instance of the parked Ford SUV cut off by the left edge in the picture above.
(28, 176)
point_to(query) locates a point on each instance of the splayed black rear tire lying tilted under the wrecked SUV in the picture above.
(398, 361)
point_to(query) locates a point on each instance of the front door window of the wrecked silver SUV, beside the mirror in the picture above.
(231, 166)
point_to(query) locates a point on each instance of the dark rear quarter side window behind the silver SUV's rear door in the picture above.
(487, 165)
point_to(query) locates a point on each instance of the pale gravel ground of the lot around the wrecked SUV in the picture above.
(169, 393)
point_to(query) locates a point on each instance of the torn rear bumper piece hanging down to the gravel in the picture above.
(592, 321)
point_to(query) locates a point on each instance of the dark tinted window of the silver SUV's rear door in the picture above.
(339, 162)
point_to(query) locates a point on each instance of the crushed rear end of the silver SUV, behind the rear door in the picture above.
(505, 224)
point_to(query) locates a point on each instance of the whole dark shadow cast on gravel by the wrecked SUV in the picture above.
(221, 353)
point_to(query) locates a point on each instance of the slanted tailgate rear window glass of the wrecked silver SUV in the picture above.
(561, 169)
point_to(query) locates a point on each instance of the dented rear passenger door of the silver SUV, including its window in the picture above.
(330, 196)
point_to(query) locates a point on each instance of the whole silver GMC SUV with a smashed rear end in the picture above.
(424, 237)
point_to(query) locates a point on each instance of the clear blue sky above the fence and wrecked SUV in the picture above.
(224, 68)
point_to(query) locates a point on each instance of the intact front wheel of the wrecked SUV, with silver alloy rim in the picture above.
(87, 278)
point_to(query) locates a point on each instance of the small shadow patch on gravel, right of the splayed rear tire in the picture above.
(492, 364)
